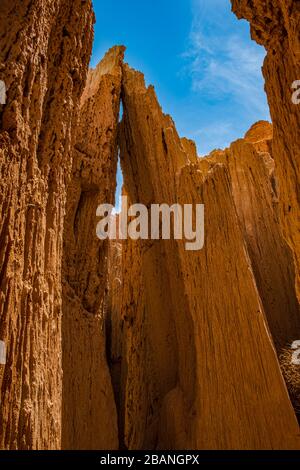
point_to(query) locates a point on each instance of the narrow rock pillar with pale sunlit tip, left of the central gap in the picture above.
(89, 413)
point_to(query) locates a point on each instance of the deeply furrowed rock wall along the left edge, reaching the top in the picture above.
(45, 47)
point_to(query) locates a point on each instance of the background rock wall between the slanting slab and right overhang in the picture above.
(254, 189)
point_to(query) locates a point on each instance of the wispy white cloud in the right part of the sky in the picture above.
(222, 63)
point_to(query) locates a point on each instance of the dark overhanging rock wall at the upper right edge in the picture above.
(275, 24)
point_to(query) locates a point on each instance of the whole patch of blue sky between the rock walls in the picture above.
(200, 58)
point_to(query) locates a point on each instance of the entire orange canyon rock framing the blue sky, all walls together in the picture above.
(141, 344)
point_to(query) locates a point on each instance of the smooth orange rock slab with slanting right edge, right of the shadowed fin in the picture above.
(230, 413)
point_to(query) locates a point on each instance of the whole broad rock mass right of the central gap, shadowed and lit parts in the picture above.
(224, 352)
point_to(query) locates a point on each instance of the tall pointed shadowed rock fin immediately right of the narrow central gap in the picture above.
(152, 362)
